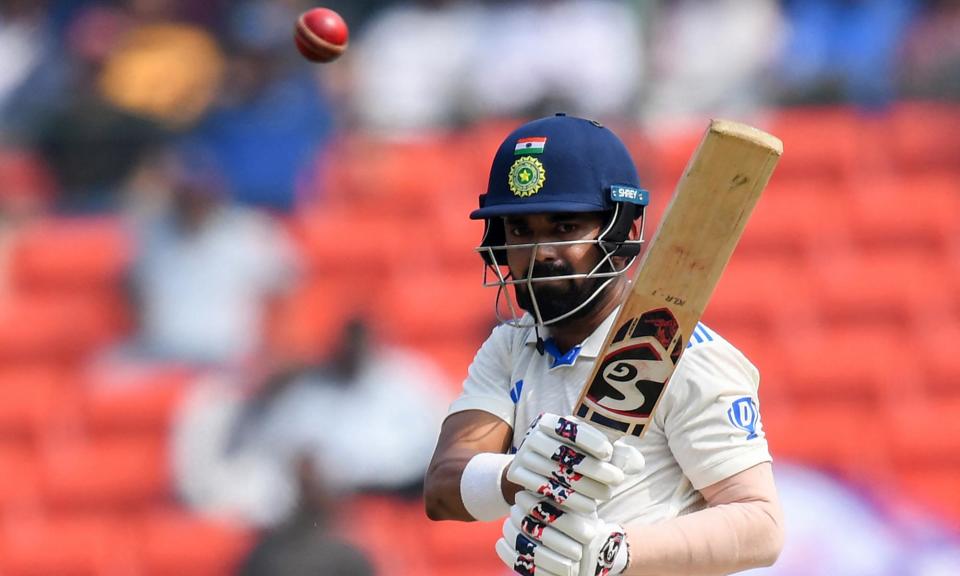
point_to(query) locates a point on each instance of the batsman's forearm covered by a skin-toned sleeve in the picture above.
(718, 540)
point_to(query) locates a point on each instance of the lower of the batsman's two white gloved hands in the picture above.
(544, 539)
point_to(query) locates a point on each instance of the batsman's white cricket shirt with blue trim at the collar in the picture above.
(705, 429)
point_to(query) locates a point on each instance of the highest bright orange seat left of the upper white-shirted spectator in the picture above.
(71, 253)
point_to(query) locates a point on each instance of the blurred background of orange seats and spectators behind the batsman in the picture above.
(238, 291)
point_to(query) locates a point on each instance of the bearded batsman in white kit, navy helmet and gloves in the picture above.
(563, 215)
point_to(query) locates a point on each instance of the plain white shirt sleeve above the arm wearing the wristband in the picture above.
(487, 386)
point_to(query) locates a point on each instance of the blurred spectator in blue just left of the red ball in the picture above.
(272, 114)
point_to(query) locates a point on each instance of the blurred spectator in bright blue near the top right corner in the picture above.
(842, 50)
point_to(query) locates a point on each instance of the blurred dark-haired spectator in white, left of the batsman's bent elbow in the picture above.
(365, 420)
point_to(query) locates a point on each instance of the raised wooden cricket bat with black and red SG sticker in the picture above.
(698, 232)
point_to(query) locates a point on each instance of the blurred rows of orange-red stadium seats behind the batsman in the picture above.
(844, 293)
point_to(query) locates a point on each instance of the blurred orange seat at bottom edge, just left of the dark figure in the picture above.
(174, 542)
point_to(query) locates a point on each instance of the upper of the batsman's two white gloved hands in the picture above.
(571, 462)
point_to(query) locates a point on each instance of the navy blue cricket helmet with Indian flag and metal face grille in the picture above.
(562, 164)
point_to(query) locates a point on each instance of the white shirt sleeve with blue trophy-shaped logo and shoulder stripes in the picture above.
(711, 414)
